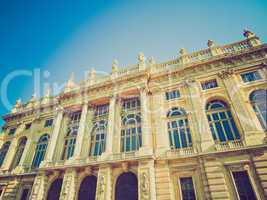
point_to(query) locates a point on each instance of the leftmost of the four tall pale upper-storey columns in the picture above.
(54, 137)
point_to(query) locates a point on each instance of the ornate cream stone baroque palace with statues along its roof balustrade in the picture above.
(190, 128)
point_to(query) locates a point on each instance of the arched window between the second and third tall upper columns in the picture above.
(98, 138)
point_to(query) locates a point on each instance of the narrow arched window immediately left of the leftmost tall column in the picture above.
(40, 150)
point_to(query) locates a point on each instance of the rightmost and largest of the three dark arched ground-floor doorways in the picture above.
(126, 187)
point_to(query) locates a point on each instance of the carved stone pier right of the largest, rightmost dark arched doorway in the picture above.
(146, 180)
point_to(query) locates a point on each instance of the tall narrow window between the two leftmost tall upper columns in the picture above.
(70, 137)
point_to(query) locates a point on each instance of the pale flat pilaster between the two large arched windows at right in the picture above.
(198, 111)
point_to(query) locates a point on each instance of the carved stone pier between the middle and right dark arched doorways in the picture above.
(104, 183)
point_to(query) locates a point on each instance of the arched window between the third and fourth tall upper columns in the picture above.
(131, 134)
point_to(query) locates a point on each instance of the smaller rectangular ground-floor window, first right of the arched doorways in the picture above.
(187, 188)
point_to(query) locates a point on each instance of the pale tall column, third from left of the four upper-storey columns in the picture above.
(110, 128)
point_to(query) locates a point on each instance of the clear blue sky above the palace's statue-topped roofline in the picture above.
(63, 36)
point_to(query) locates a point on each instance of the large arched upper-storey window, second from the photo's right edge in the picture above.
(221, 122)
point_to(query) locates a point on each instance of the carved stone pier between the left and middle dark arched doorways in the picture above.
(69, 186)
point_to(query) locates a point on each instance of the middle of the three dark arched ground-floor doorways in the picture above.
(87, 188)
